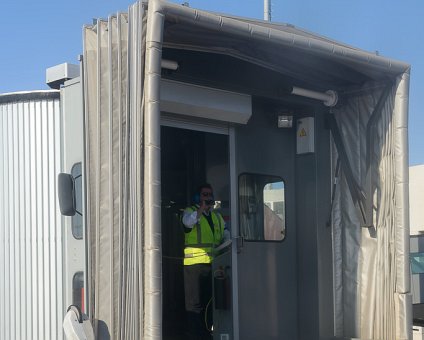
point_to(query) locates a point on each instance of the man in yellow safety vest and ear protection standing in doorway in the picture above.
(204, 230)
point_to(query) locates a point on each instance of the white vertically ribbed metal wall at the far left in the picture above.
(30, 225)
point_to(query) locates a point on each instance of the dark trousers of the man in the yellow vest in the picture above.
(198, 293)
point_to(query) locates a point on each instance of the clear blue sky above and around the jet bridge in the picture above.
(37, 35)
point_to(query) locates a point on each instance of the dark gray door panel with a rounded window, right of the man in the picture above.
(266, 261)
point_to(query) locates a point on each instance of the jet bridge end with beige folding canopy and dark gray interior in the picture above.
(316, 175)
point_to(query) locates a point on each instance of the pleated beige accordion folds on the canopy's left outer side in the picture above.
(114, 52)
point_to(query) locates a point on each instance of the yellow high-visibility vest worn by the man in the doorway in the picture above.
(200, 241)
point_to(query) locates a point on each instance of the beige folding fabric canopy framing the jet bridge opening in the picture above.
(122, 73)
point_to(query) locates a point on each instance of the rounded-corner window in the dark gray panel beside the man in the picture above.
(262, 207)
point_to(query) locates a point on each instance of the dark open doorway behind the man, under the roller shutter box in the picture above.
(189, 158)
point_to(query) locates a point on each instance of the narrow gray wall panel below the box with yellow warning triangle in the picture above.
(314, 243)
